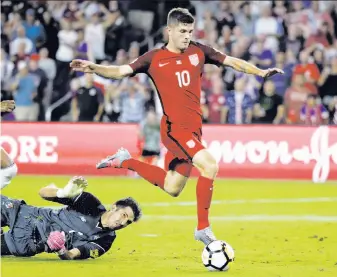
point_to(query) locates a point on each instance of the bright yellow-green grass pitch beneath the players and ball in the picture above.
(278, 229)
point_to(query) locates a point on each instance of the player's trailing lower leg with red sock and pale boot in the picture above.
(122, 159)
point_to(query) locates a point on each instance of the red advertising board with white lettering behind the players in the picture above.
(250, 151)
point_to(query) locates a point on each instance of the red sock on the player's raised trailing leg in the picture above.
(154, 174)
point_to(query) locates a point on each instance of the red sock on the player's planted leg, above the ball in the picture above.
(204, 198)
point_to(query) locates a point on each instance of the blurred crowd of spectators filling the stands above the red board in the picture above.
(39, 39)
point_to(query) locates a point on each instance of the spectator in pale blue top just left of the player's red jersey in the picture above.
(133, 97)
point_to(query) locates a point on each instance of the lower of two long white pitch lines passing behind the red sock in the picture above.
(259, 218)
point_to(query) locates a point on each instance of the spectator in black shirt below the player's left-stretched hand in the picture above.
(88, 102)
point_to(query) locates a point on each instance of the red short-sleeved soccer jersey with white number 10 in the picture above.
(177, 78)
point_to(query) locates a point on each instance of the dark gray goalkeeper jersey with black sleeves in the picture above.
(80, 220)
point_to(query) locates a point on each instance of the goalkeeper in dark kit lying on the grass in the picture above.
(82, 229)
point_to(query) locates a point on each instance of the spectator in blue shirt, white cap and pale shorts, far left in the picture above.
(25, 91)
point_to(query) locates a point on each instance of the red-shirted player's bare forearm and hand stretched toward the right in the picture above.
(249, 68)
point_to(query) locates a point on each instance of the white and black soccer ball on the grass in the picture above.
(217, 256)
